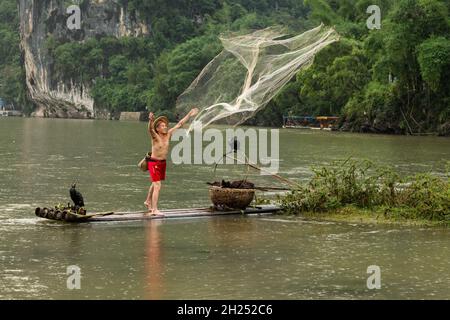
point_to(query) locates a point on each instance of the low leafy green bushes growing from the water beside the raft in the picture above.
(362, 184)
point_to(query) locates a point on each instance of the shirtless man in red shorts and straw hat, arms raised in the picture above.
(160, 135)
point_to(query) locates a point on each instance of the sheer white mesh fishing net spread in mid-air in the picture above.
(249, 72)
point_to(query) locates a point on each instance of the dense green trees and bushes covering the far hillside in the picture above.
(394, 80)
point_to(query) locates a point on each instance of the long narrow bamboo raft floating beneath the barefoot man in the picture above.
(69, 216)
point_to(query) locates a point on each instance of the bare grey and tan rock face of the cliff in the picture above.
(41, 18)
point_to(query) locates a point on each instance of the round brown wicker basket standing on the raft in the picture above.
(231, 198)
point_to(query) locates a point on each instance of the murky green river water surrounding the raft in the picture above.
(217, 258)
